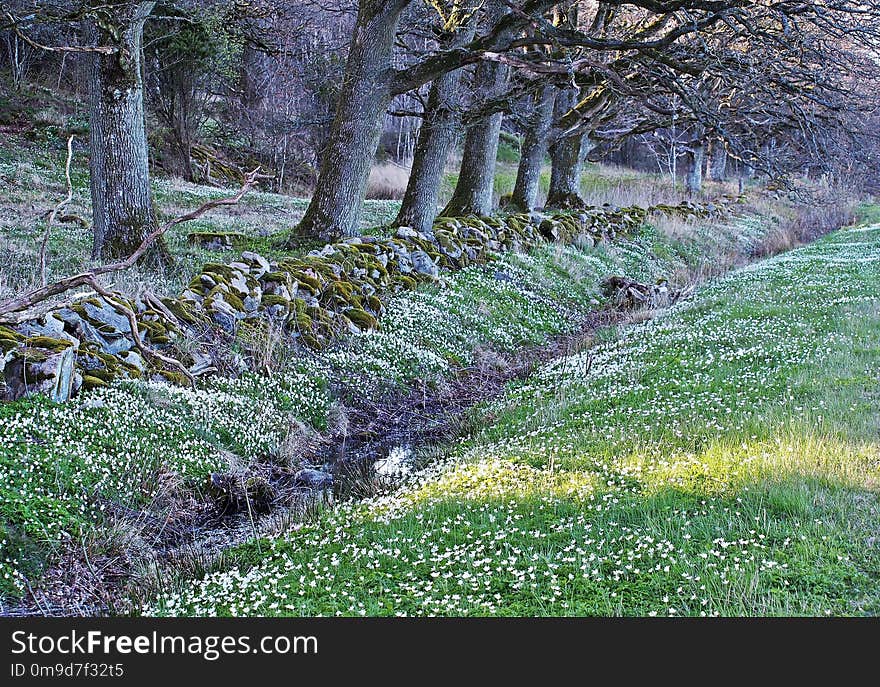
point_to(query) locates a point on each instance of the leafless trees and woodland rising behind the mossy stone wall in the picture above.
(313, 89)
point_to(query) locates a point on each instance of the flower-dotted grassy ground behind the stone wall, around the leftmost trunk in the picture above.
(32, 178)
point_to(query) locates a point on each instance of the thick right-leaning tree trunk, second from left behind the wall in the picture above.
(336, 205)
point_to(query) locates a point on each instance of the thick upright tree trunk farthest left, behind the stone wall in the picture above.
(122, 201)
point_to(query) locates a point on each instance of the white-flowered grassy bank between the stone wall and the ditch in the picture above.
(69, 472)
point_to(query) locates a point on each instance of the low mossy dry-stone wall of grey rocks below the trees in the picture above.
(312, 298)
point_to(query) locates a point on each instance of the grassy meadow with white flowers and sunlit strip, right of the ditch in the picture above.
(722, 459)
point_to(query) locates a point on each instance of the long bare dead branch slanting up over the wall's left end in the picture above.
(36, 296)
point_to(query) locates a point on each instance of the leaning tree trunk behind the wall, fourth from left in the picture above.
(474, 192)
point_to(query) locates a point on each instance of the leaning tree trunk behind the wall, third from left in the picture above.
(436, 136)
